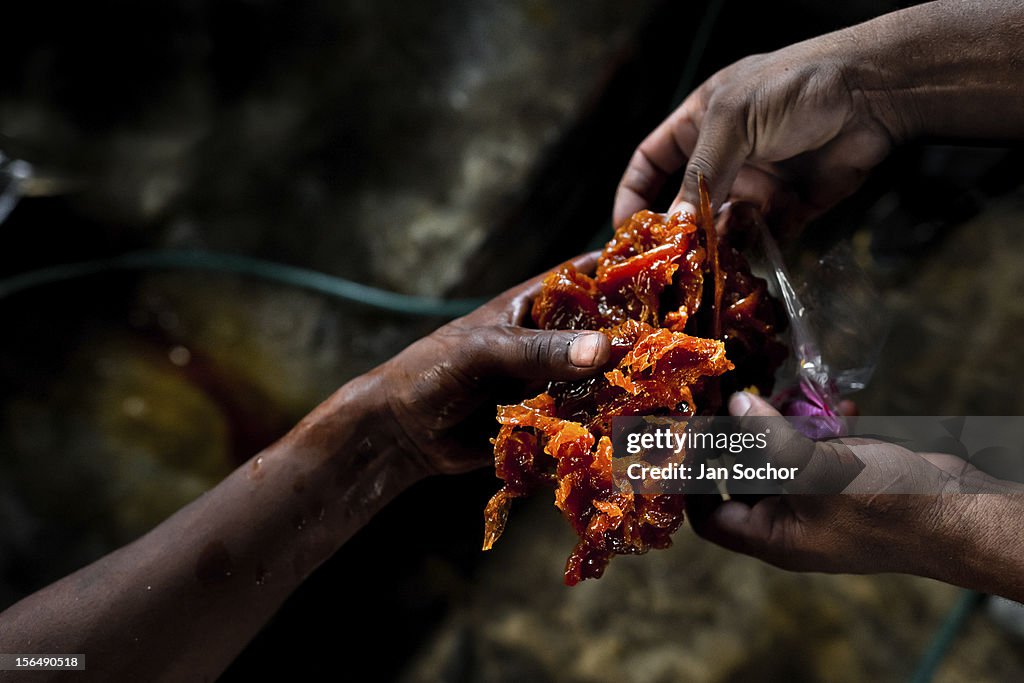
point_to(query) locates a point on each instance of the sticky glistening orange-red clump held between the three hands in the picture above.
(687, 329)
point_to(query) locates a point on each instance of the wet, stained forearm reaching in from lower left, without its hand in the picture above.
(181, 603)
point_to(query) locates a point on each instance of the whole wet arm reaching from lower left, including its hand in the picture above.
(182, 602)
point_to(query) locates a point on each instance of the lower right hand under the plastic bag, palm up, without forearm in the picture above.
(843, 515)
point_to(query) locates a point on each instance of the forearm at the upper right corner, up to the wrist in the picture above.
(953, 69)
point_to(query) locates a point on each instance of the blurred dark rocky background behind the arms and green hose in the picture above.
(441, 149)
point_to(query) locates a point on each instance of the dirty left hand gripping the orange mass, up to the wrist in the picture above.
(443, 391)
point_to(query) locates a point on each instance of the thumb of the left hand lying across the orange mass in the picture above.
(542, 355)
